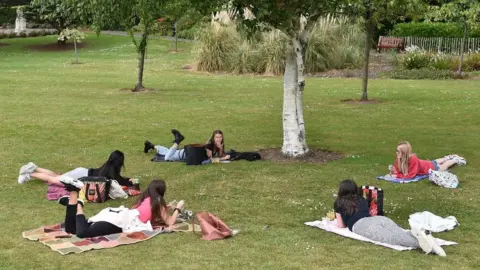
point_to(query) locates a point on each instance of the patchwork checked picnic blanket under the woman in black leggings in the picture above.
(55, 237)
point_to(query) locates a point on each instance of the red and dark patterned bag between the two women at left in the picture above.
(95, 189)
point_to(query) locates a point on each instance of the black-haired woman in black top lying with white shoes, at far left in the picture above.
(110, 169)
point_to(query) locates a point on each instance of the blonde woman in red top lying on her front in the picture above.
(408, 165)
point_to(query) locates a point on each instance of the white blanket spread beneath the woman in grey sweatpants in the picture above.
(331, 226)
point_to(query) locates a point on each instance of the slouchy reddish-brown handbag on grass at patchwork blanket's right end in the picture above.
(212, 227)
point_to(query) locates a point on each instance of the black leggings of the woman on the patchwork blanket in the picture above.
(77, 224)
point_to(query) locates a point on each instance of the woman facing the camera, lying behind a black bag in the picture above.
(215, 147)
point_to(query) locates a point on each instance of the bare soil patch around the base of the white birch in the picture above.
(316, 156)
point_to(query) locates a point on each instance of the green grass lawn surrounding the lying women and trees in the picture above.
(63, 116)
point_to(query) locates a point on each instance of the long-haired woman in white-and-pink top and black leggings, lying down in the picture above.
(150, 209)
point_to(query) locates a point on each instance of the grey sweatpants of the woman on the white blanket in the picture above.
(385, 230)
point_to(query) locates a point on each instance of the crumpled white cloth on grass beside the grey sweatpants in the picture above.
(428, 221)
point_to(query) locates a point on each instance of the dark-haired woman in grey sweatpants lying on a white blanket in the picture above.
(351, 210)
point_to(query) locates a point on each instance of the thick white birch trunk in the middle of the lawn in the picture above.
(294, 137)
